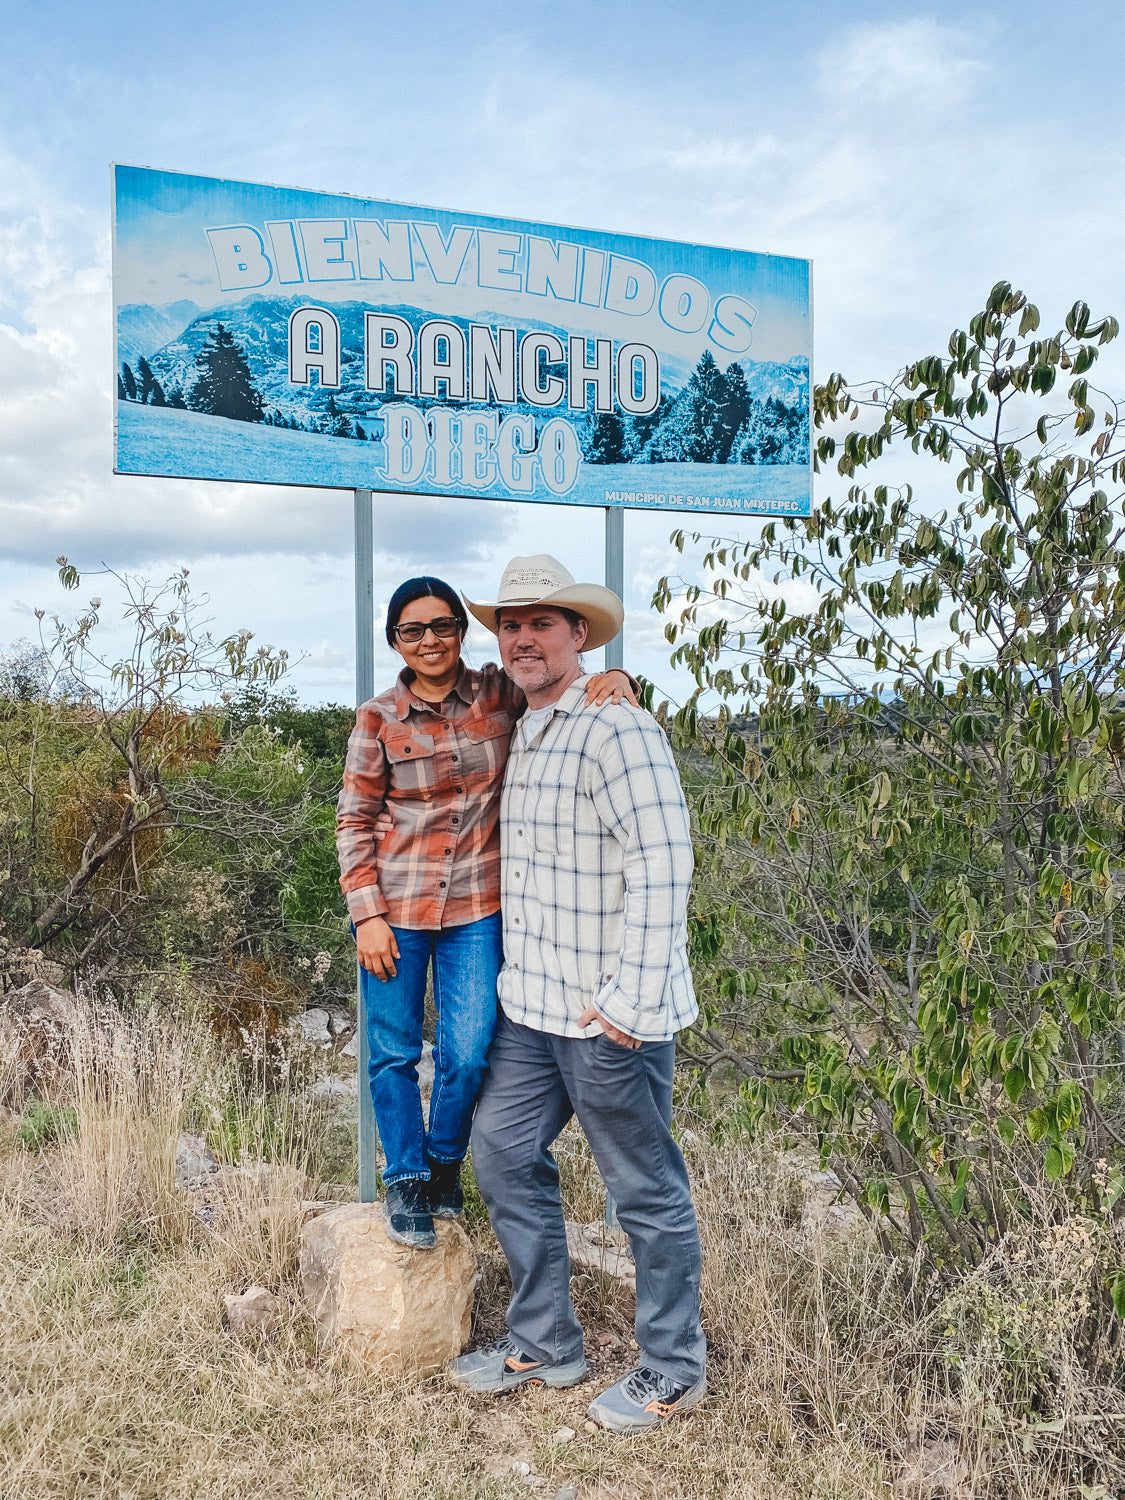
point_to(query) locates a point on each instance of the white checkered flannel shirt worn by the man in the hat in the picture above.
(596, 869)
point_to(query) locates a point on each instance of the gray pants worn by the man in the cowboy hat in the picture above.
(623, 1102)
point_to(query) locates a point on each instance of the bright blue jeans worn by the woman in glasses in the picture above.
(466, 965)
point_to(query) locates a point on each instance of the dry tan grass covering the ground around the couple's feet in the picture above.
(122, 1382)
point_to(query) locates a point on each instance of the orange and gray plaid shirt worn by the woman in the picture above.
(437, 769)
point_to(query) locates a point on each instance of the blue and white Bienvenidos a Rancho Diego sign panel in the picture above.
(295, 338)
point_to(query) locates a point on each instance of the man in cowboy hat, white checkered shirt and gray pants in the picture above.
(596, 866)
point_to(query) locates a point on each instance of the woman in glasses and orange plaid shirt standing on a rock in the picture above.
(427, 895)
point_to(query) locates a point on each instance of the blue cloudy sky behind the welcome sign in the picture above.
(916, 154)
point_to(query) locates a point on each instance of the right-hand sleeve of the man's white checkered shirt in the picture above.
(635, 788)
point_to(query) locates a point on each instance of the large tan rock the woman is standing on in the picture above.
(392, 1309)
